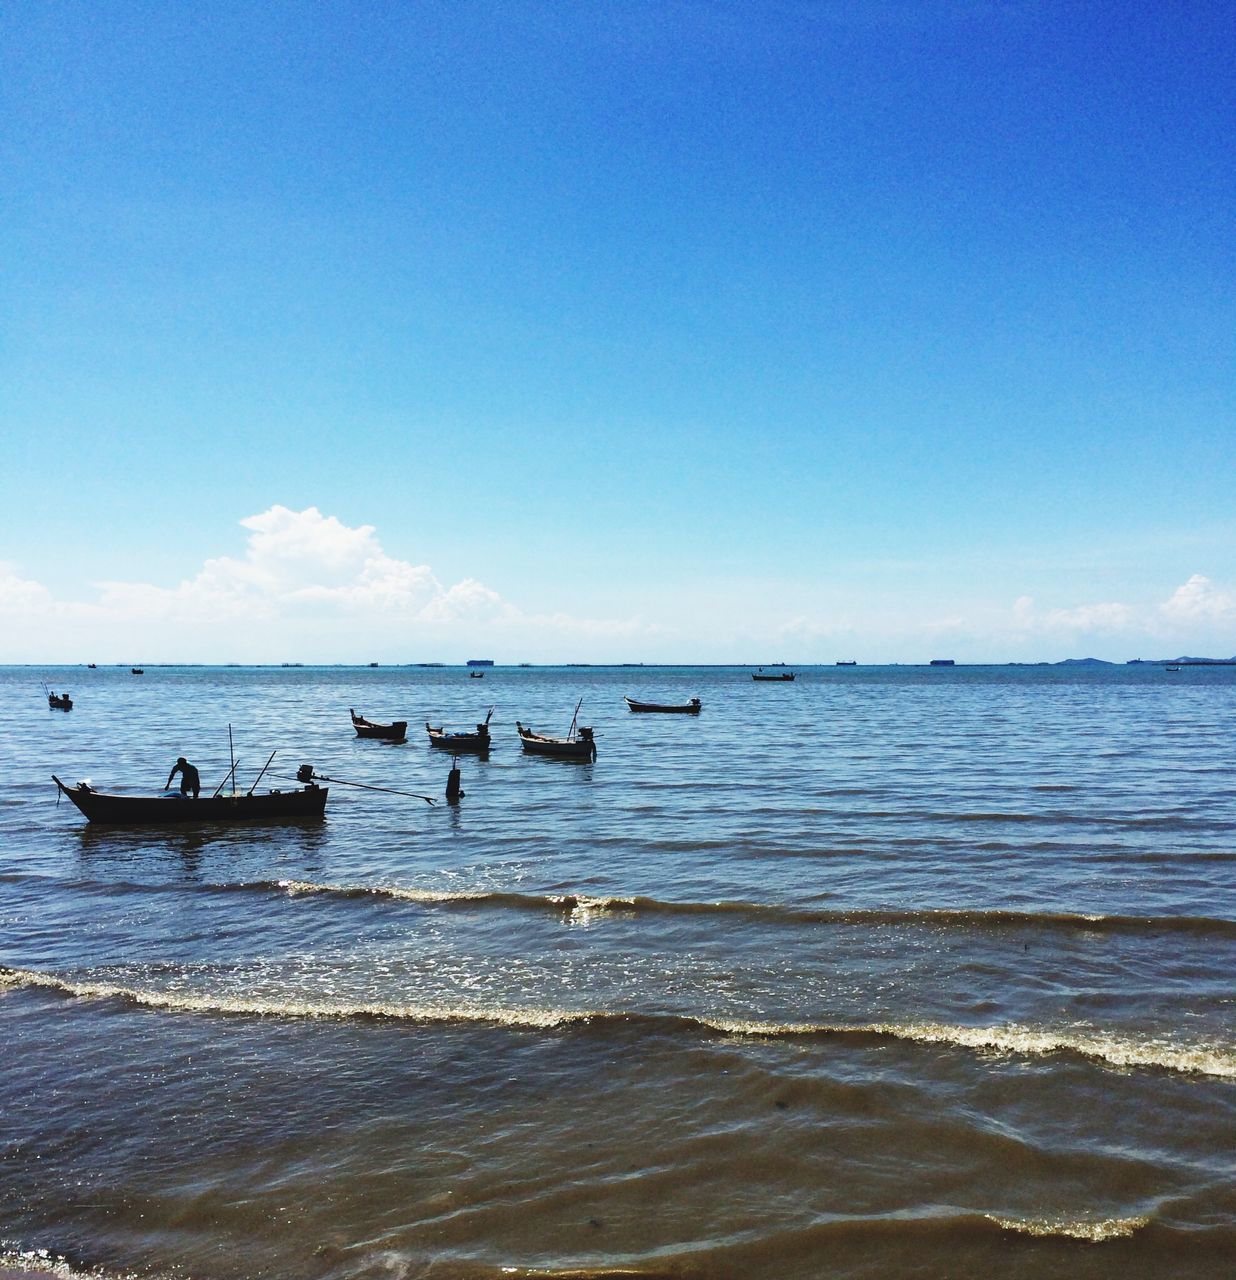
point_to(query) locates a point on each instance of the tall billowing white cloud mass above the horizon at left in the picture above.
(305, 580)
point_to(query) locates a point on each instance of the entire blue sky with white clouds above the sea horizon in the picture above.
(619, 332)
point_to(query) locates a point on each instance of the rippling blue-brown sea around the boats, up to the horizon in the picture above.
(886, 972)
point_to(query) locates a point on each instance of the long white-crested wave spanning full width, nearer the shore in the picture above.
(1105, 1048)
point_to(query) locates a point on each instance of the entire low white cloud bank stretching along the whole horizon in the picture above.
(312, 588)
